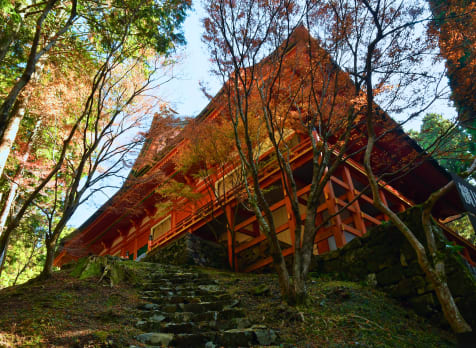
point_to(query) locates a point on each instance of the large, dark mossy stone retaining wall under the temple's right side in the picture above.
(384, 258)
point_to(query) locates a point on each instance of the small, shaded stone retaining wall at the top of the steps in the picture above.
(190, 250)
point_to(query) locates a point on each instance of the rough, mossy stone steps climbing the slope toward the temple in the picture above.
(185, 308)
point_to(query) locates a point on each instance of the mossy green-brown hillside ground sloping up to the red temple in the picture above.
(66, 311)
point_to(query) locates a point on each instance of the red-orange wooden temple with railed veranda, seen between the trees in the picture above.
(130, 225)
